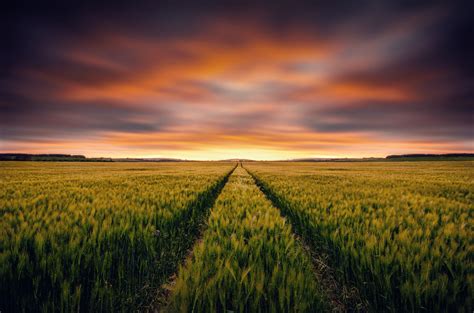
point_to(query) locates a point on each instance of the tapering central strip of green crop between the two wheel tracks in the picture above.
(248, 260)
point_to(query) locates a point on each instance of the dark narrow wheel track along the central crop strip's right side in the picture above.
(341, 297)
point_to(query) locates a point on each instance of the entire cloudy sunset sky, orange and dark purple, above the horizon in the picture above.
(237, 79)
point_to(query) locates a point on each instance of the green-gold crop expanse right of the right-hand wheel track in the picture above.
(402, 233)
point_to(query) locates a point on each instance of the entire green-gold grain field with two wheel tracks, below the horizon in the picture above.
(209, 237)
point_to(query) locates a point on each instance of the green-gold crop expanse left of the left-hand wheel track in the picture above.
(98, 237)
